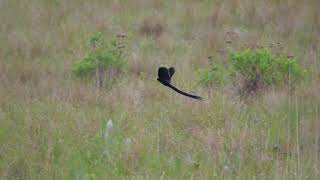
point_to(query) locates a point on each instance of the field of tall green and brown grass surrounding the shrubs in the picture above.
(52, 125)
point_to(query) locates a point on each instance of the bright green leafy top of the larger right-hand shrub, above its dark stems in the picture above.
(268, 67)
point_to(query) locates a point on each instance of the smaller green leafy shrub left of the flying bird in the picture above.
(103, 58)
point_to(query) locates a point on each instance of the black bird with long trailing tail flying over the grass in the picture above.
(164, 77)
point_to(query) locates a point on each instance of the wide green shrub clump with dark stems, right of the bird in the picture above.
(258, 67)
